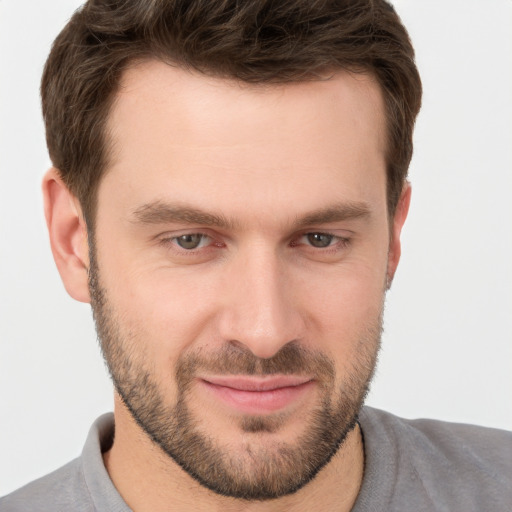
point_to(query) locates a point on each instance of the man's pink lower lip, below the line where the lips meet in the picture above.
(258, 402)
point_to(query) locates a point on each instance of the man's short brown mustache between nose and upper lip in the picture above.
(234, 359)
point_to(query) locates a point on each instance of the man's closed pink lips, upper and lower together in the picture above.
(257, 395)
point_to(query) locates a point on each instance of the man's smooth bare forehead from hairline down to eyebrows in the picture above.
(180, 133)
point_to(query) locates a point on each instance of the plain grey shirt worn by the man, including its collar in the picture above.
(410, 466)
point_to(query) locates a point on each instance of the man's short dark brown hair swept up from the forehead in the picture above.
(256, 41)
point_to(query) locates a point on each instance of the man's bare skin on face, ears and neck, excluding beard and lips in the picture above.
(262, 157)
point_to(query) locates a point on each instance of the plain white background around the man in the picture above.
(447, 348)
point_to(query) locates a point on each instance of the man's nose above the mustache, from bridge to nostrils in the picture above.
(260, 310)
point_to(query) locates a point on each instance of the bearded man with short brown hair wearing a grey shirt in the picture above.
(228, 192)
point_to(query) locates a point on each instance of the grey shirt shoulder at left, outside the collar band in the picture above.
(63, 489)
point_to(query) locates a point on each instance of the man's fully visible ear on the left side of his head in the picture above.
(68, 235)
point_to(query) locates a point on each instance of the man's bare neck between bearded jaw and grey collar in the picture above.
(149, 480)
